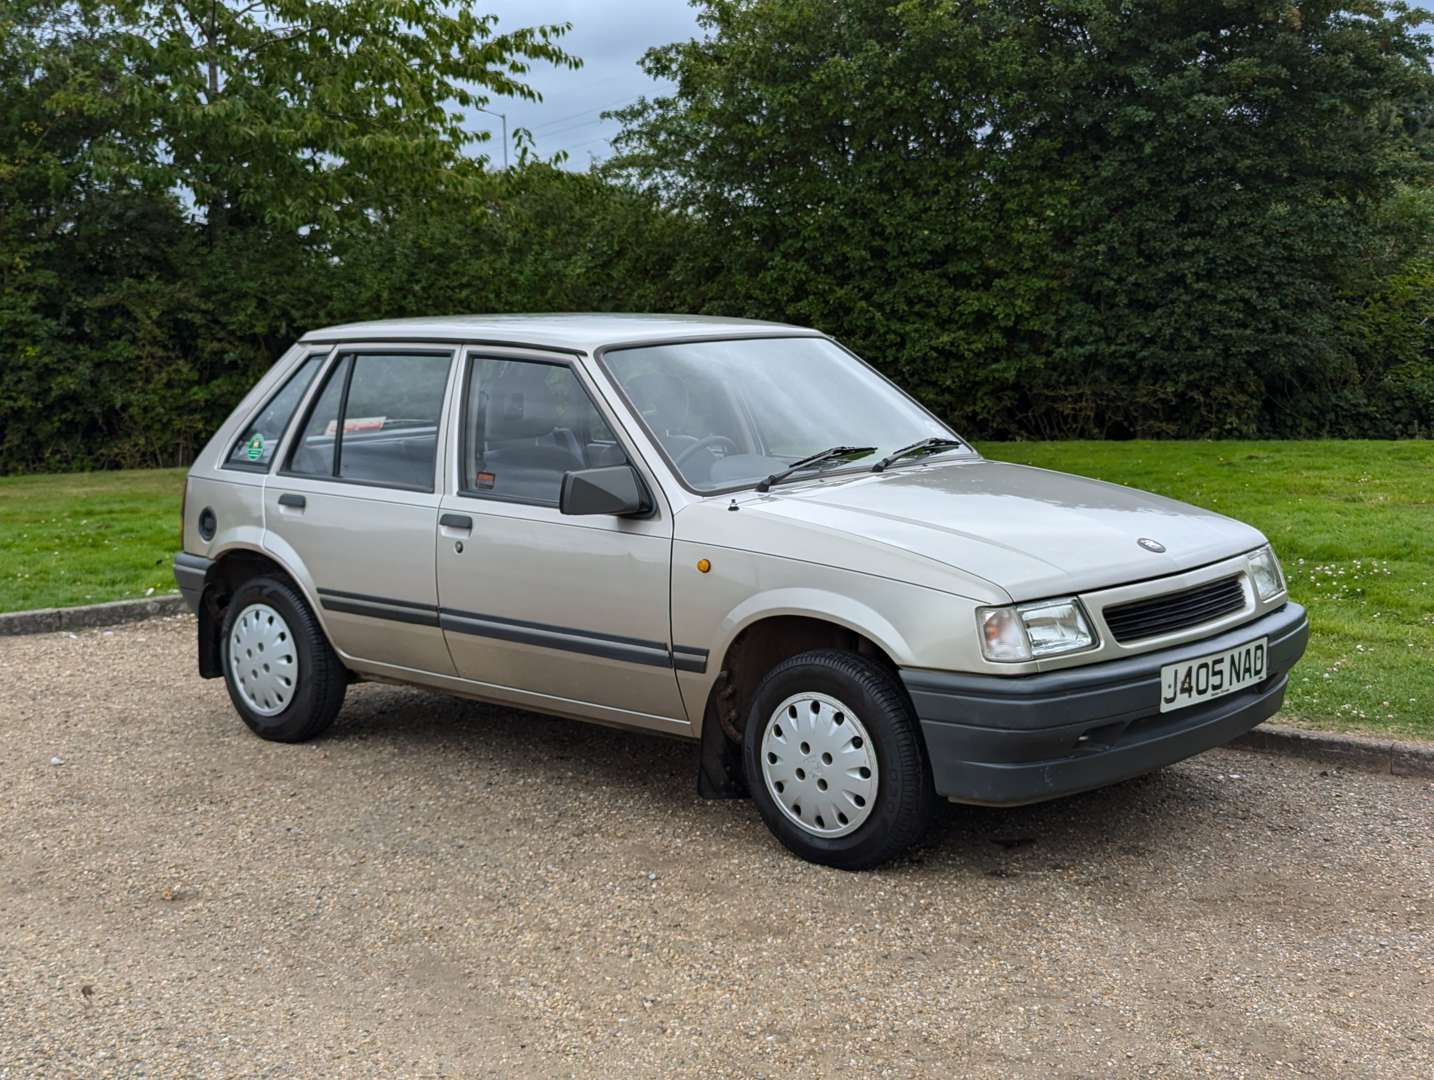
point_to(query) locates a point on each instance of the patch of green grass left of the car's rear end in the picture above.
(84, 539)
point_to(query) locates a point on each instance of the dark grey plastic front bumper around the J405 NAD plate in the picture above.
(1005, 742)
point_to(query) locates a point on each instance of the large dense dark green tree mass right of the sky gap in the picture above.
(1053, 217)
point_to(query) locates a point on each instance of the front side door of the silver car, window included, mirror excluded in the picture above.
(574, 609)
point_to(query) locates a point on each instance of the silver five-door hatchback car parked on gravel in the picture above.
(729, 531)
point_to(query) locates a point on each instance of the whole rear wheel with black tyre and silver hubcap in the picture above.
(285, 679)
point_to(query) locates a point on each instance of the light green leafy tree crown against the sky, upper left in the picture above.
(299, 114)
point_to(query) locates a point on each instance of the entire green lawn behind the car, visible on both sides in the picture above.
(1353, 523)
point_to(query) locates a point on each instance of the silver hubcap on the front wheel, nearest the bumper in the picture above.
(820, 765)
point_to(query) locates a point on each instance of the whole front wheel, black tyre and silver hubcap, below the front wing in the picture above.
(835, 761)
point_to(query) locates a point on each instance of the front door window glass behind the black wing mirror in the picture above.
(526, 424)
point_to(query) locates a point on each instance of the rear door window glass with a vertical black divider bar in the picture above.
(378, 421)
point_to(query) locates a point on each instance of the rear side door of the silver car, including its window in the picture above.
(356, 503)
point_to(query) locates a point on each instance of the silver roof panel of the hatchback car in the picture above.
(570, 333)
